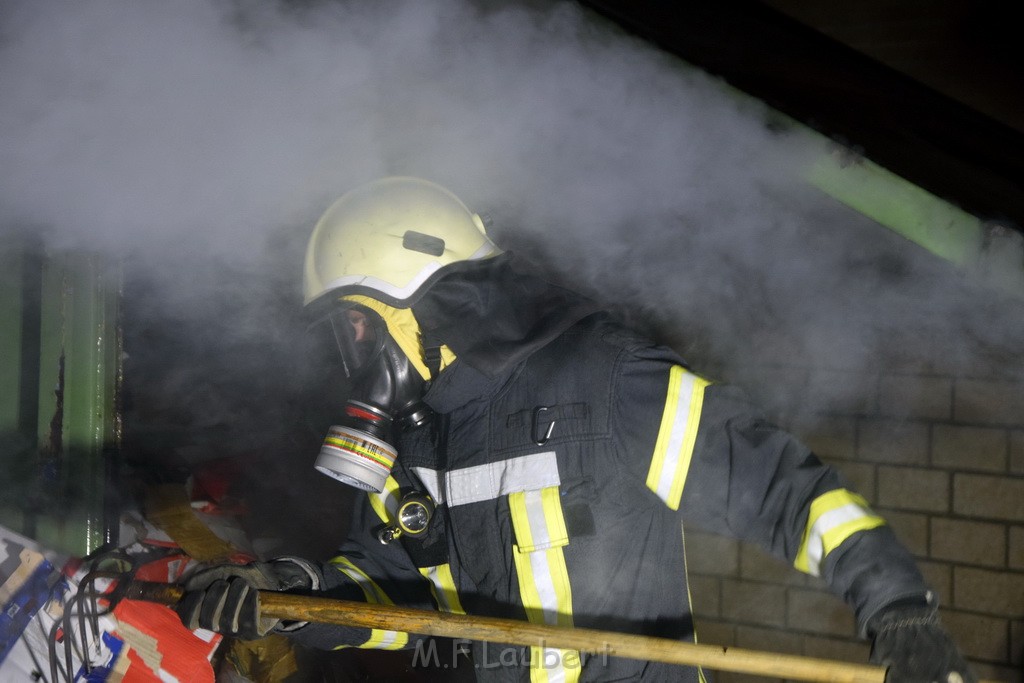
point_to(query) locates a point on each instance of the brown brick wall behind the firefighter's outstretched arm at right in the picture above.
(943, 459)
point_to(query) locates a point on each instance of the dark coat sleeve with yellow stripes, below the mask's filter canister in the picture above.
(367, 571)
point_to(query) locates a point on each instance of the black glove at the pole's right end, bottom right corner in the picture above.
(910, 641)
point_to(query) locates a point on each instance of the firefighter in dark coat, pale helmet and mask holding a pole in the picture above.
(525, 455)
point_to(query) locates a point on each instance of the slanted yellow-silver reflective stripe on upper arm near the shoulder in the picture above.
(677, 436)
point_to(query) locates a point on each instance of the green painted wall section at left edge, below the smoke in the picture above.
(60, 378)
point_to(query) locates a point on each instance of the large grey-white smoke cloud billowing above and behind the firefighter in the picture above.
(199, 142)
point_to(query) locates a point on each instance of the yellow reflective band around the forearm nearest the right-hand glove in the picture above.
(835, 517)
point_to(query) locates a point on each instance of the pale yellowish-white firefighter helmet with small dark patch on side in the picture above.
(389, 239)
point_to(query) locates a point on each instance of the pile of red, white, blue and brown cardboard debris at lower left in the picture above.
(42, 629)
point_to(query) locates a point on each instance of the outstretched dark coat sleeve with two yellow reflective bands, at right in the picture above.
(704, 451)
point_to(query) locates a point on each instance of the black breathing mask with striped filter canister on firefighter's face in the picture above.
(386, 397)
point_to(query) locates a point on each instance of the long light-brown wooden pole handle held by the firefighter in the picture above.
(391, 618)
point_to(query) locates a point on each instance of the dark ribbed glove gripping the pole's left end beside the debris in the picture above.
(225, 600)
